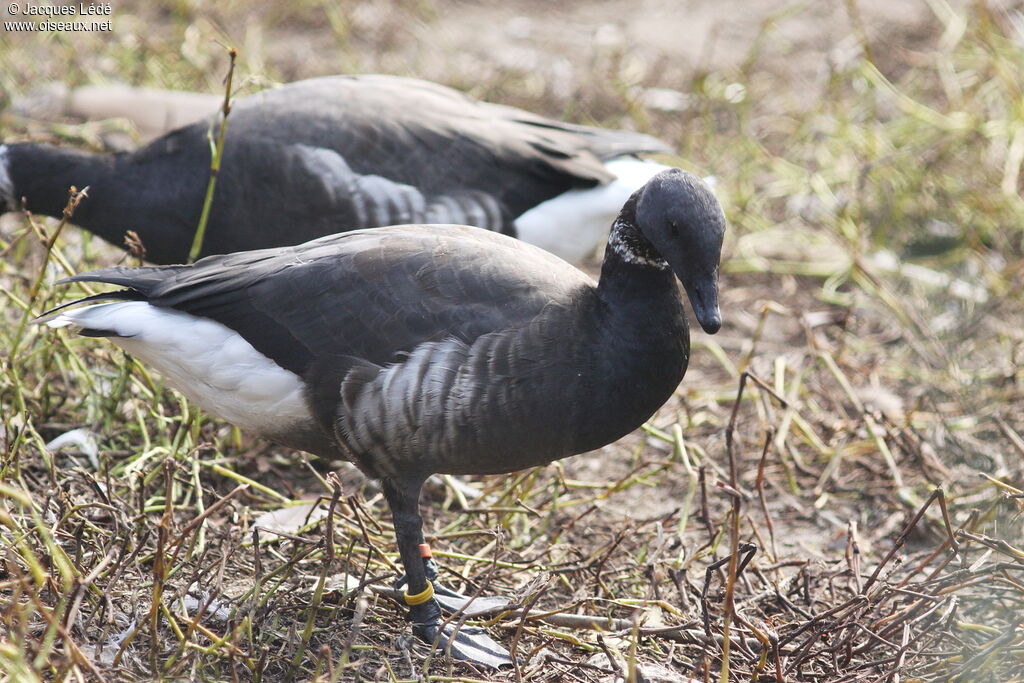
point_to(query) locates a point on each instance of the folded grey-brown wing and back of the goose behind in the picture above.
(439, 140)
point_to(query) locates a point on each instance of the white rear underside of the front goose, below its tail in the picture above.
(210, 364)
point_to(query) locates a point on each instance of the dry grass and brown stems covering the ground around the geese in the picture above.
(834, 495)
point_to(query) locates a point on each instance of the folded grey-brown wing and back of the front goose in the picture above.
(367, 294)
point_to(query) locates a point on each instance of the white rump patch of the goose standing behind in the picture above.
(573, 225)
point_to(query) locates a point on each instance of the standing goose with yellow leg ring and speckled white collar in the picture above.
(417, 350)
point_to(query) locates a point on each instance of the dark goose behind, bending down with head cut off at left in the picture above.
(343, 153)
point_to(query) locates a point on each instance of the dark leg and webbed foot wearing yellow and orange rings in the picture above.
(424, 612)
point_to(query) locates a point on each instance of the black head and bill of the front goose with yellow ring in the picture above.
(679, 215)
